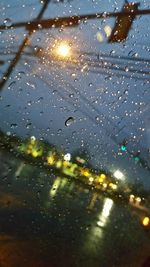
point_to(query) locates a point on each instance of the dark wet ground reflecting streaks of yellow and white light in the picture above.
(47, 219)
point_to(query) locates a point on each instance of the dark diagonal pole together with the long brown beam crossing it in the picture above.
(38, 24)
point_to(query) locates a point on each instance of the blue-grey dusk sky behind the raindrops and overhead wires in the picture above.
(106, 105)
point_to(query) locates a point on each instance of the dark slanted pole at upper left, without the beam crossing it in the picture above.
(21, 48)
